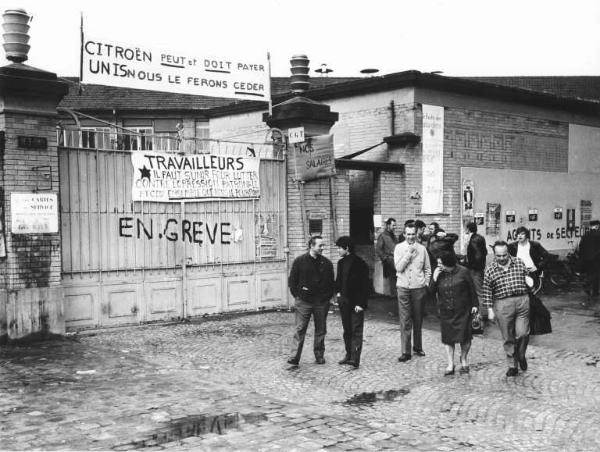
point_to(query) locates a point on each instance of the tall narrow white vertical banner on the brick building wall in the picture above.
(433, 159)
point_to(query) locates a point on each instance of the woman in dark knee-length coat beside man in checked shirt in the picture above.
(457, 301)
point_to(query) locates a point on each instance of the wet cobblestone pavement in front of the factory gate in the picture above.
(223, 384)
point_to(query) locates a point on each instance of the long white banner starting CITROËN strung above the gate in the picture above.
(106, 62)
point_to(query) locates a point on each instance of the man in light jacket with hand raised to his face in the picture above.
(413, 275)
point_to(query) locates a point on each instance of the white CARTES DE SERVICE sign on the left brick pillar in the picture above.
(34, 213)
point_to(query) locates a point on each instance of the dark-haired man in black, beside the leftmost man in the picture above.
(352, 288)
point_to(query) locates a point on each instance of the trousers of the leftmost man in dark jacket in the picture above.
(303, 312)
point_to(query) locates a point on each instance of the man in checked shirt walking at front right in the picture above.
(505, 294)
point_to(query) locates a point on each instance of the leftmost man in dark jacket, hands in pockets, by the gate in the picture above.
(311, 282)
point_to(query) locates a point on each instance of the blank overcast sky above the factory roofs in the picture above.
(458, 37)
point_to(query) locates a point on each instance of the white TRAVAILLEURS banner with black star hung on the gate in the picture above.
(166, 177)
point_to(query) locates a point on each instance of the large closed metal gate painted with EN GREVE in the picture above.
(128, 262)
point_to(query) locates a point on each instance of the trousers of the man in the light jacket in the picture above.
(411, 303)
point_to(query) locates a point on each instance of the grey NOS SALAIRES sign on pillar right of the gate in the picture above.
(314, 158)
